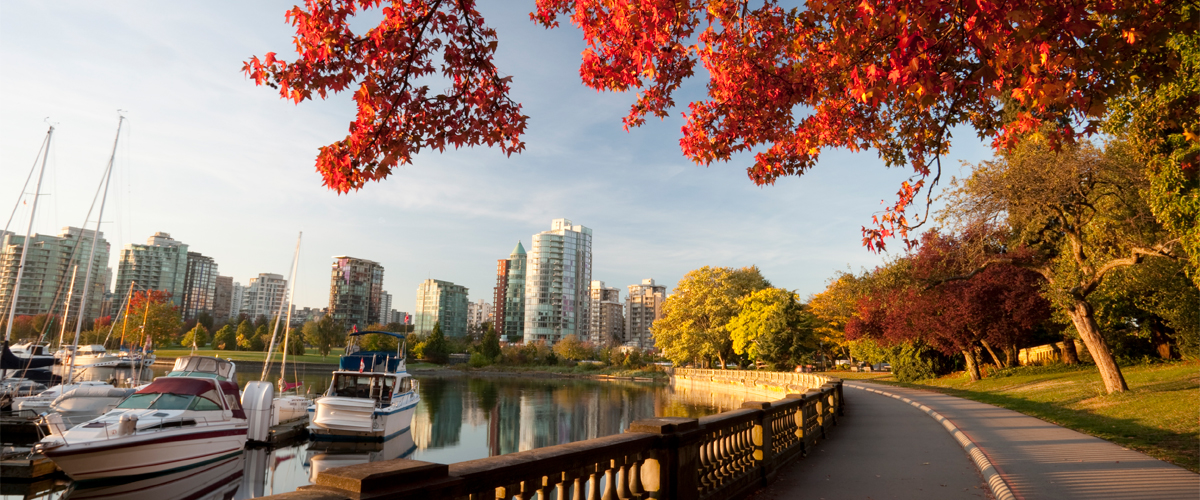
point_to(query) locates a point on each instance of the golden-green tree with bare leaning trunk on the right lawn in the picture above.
(1076, 216)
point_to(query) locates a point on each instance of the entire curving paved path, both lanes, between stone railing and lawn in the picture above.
(1035, 459)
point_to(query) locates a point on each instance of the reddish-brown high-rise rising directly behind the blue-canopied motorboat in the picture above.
(356, 291)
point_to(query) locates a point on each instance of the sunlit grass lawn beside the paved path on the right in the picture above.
(1160, 415)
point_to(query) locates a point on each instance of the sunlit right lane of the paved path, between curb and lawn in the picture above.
(1042, 461)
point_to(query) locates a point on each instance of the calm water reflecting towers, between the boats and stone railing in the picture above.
(459, 419)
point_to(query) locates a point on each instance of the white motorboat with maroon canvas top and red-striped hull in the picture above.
(171, 425)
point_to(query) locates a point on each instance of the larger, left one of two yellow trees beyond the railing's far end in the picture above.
(695, 316)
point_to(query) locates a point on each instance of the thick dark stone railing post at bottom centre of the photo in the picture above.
(673, 468)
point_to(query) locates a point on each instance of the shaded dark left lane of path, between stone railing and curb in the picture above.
(881, 449)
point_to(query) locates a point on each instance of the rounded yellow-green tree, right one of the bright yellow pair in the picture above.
(772, 328)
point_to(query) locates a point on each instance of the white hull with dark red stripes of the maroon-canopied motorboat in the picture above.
(160, 453)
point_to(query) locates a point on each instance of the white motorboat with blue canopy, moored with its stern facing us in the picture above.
(374, 403)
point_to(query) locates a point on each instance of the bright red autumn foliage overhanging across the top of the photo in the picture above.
(893, 76)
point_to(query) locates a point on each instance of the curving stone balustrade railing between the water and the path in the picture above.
(718, 457)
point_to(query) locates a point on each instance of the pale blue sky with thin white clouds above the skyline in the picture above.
(227, 167)
